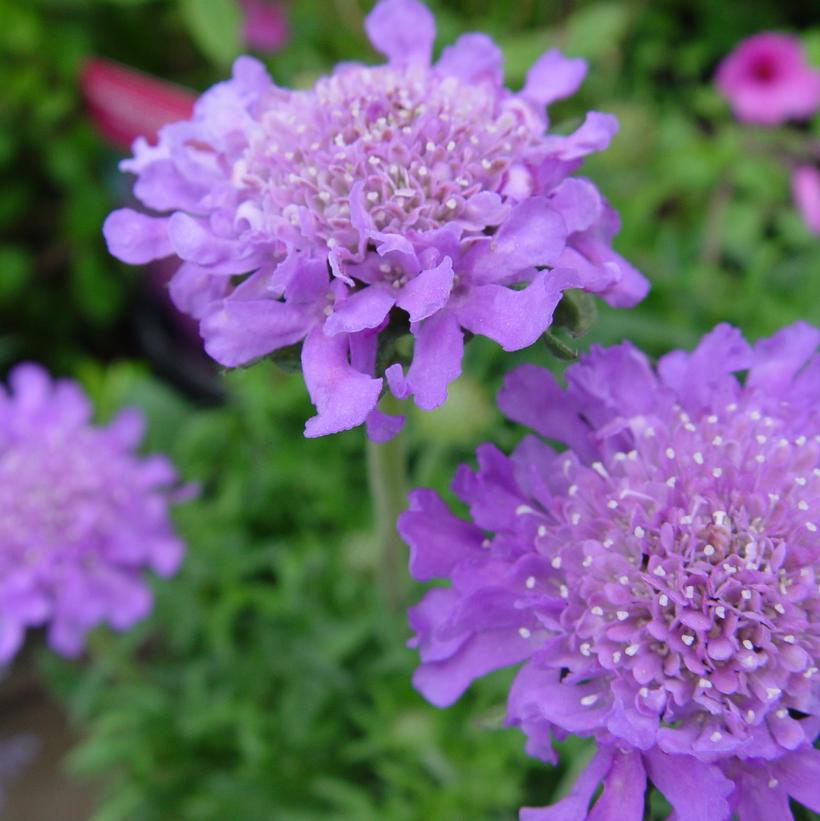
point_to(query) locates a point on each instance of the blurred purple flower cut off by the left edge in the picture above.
(81, 516)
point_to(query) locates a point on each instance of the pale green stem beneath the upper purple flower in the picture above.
(386, 472)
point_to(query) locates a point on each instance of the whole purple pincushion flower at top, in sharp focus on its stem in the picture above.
(406, 196)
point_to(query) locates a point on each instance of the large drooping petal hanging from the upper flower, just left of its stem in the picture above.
(343, 396)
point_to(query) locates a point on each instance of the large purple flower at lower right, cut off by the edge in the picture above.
(658, 578)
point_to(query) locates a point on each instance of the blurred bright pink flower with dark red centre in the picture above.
(767, 80)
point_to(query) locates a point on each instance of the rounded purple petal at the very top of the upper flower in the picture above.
(402, 30)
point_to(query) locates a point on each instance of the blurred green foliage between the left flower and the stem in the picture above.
(270, 682)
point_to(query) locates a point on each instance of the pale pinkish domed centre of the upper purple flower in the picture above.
(421, 144)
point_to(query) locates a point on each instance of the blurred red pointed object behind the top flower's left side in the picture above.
(126, 104)
